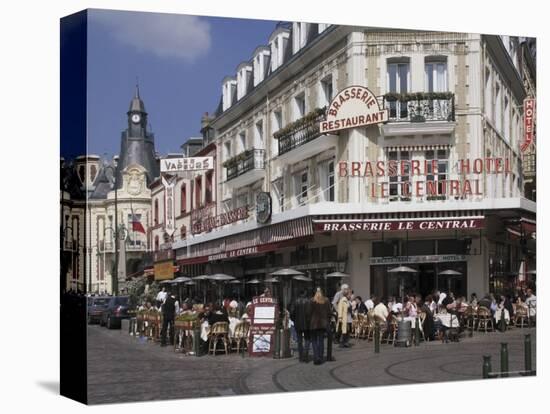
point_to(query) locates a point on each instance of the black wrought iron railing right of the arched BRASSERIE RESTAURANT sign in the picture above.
(420, 107)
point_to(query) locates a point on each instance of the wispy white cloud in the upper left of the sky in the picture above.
(165, 35)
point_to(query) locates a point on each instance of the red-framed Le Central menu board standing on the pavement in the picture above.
(263, 319)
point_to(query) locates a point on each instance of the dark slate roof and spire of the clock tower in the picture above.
(137, 144)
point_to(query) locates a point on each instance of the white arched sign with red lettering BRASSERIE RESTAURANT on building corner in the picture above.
(354, 106)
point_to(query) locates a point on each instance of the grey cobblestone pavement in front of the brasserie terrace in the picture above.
(121, 368)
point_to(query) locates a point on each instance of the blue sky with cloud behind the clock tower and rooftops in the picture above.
(180, 62)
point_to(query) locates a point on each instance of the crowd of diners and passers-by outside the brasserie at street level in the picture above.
(312, 318)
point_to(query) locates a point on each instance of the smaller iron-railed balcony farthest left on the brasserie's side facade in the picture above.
(245, 168)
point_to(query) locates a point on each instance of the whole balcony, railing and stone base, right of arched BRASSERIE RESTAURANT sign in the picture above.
(419, 112)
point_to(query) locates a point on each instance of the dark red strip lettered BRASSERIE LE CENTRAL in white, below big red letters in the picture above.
(321, 226)
